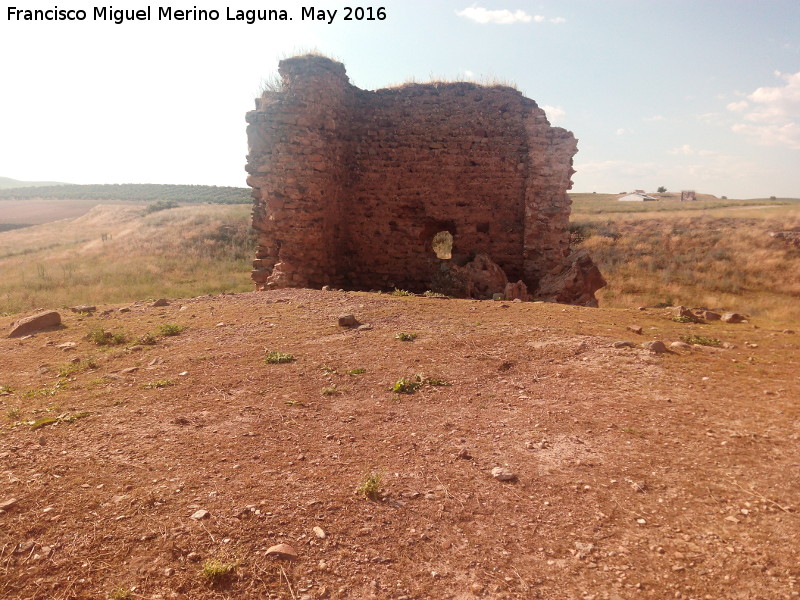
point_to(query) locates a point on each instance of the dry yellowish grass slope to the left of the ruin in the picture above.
(187, 251)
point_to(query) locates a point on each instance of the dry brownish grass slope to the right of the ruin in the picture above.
(711, 260)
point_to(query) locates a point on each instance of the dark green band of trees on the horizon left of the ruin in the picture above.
(134, 192)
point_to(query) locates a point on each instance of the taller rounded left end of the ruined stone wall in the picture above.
(296, 143)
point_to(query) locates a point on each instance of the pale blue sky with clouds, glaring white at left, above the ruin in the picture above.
(685, 94)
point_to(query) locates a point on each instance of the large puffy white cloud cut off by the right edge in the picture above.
(772, 115)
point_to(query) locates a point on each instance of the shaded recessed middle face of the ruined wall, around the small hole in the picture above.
(428, 160)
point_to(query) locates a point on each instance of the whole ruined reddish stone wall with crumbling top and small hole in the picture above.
(350, 186)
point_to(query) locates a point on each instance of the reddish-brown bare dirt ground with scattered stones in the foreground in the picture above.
(636, 475)
